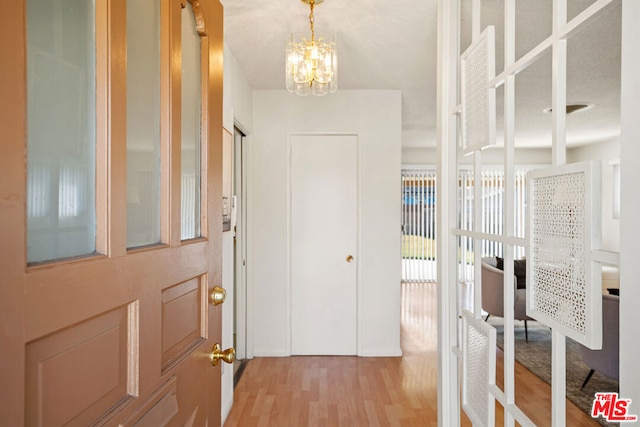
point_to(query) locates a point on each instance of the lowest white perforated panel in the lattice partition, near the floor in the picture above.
(478, 370)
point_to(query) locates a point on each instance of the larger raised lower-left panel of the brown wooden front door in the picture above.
(77, 374)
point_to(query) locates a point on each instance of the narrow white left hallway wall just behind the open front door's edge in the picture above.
(238, 107)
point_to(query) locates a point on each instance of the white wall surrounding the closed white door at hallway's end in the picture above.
(375, 117)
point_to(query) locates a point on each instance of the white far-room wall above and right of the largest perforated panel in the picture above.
(606, 152)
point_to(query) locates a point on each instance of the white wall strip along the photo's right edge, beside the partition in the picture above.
(630, 206)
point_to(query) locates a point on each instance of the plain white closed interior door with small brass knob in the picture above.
(324, 232)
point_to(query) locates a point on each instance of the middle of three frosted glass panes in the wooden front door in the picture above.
(143, 122)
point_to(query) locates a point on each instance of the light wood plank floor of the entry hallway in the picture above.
(357, 391)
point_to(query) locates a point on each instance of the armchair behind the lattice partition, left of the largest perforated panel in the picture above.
(493, 293)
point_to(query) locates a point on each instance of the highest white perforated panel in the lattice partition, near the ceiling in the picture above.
(477, 99)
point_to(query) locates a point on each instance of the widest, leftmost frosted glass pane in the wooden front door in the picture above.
(61, 215)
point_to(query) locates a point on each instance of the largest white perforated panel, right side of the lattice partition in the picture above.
(564, 288)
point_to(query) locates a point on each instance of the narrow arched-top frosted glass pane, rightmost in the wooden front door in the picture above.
(191, 109)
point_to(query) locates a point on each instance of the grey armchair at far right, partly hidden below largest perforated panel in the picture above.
(607, 360)
